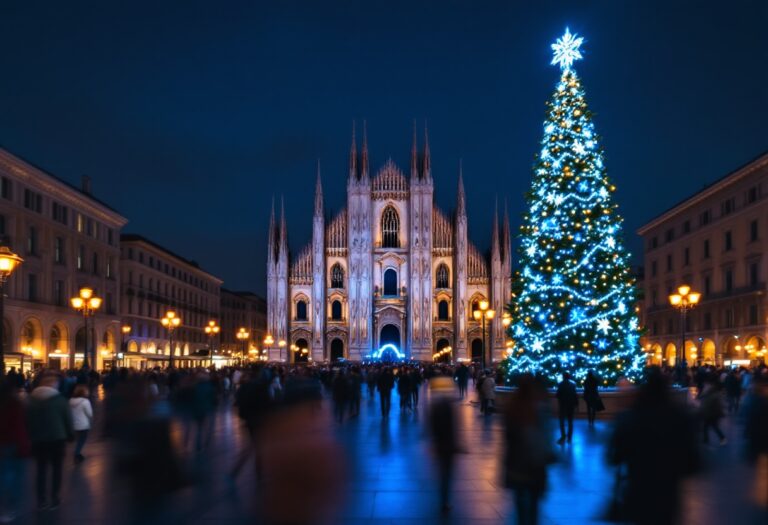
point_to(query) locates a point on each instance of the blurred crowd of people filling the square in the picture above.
(653, 444)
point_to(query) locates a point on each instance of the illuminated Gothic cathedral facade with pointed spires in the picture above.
(391, 275)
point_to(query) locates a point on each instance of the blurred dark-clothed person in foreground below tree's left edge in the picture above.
(527, 449)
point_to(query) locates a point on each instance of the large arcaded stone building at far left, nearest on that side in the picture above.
(68, 240)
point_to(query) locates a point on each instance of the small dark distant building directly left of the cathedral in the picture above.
(242, 310)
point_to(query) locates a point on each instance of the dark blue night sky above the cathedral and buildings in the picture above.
(189, 116)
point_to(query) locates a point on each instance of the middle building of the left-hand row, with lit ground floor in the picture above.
(154, 281)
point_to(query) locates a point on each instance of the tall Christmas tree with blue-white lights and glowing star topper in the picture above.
(573, 305)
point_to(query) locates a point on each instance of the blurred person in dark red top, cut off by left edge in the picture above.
(14, 446)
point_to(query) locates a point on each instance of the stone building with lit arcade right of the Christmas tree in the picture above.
(716, 242)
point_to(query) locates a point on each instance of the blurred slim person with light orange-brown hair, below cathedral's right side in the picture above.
(444, 434)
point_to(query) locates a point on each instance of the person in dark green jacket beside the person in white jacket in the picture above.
(49, 419)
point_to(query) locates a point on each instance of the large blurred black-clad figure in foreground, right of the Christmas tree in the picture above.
(656, 442)
